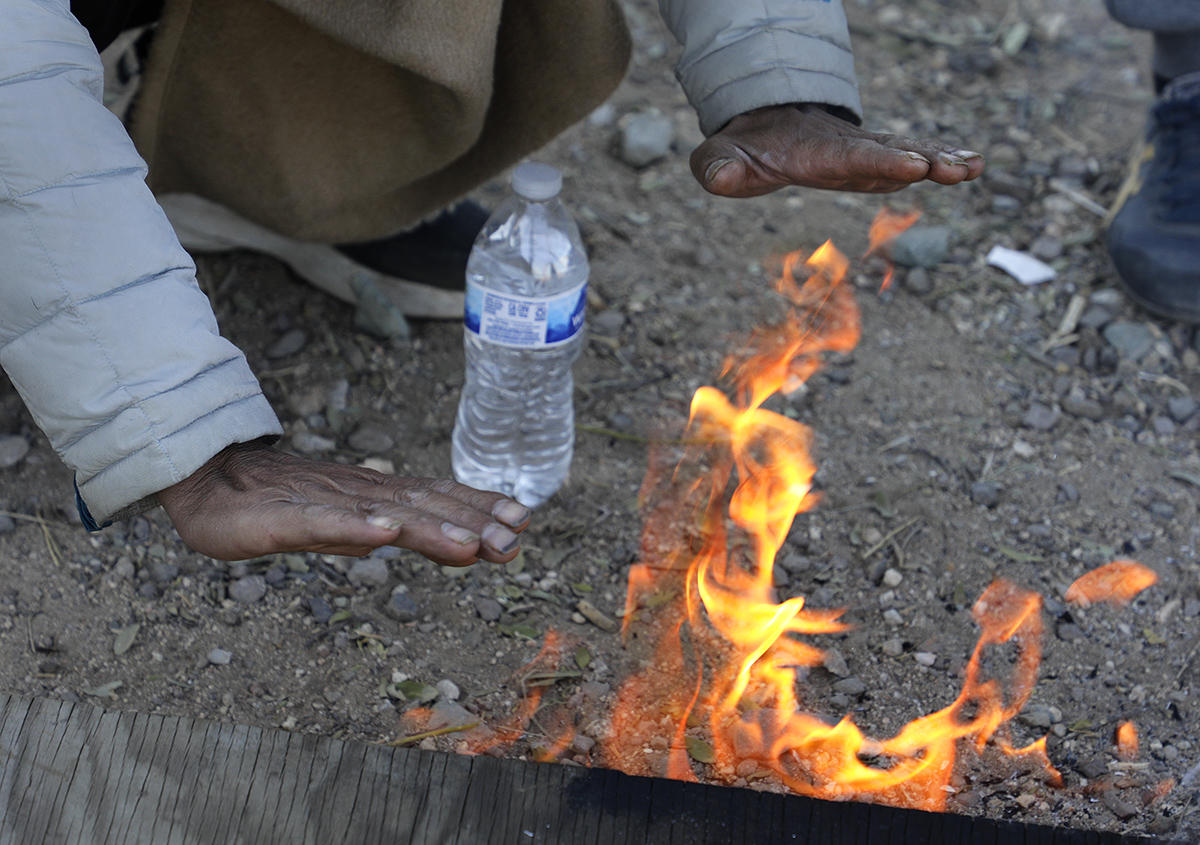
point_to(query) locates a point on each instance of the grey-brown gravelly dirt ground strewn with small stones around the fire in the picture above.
(967, 439)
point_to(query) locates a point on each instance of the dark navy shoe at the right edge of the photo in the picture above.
(1155, 235)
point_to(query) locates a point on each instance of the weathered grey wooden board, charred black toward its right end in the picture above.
(76, 774)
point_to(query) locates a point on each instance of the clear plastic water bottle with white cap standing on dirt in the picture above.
(527, 280)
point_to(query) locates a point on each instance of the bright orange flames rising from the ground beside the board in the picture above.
(728, 658)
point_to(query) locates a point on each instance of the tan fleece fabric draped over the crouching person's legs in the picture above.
(352, 121)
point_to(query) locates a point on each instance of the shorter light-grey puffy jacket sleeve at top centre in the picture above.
(745, 55)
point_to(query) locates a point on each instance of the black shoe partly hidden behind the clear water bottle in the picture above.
(433, 254)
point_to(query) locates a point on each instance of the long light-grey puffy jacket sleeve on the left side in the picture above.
(104, 331)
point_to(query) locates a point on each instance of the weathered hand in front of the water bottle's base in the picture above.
(251, 500)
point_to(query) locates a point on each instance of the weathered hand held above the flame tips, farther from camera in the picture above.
(771, 148)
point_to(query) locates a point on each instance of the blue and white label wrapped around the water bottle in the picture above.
(525, 322)
